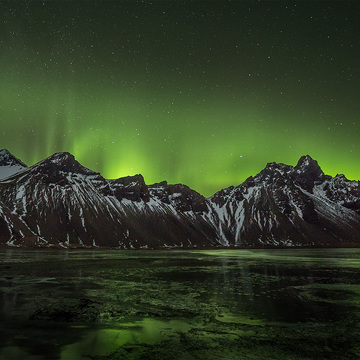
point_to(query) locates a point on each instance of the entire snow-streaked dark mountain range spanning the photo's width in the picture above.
(60, 203)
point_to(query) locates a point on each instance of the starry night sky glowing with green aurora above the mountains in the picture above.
(199, 92)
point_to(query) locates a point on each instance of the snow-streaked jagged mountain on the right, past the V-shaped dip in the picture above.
(285, 205)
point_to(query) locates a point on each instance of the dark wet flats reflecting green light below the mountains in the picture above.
(217, 304)
